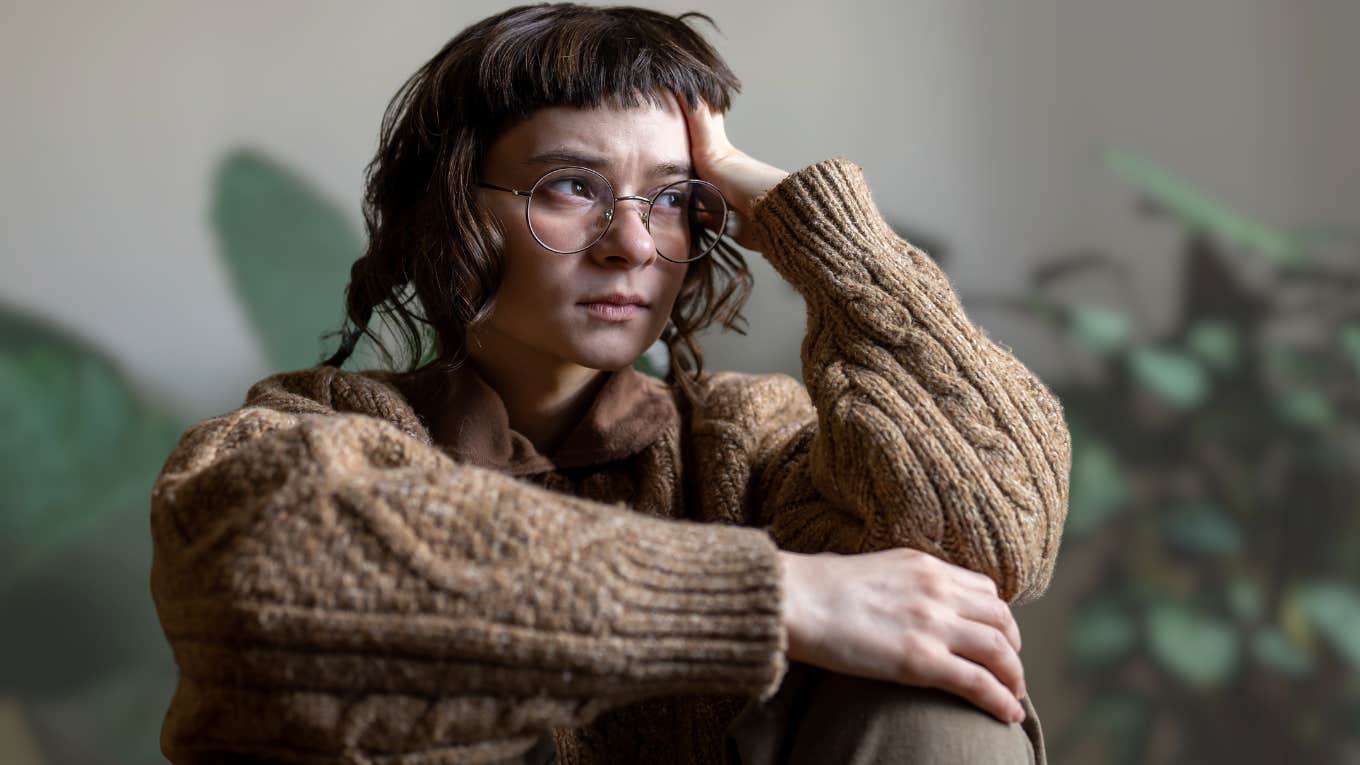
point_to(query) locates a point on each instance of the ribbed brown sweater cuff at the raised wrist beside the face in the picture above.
(818, 225)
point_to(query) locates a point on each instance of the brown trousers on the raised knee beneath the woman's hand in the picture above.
(819, 718)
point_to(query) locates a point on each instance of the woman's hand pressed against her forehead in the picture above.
(739, 176)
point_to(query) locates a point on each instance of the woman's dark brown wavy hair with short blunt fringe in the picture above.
(435, 263)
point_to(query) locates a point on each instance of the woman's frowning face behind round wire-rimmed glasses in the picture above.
(542, 314)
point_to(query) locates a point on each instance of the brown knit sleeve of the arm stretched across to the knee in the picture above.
(337, 589)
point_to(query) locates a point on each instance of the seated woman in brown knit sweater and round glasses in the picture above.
(524, 548)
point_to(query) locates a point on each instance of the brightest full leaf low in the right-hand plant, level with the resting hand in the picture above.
(1197, 649)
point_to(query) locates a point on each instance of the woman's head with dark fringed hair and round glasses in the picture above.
(444, 253)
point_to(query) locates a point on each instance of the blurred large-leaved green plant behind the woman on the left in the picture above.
(84, 651)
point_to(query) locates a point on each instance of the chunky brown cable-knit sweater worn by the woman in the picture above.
(375, 568)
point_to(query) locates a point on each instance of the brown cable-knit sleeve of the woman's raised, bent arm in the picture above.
(915, 429)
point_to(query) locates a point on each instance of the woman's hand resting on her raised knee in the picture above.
(906, 617)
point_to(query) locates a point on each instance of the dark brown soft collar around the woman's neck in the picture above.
(469, 421)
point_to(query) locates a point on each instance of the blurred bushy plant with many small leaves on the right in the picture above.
(1218, 465)
